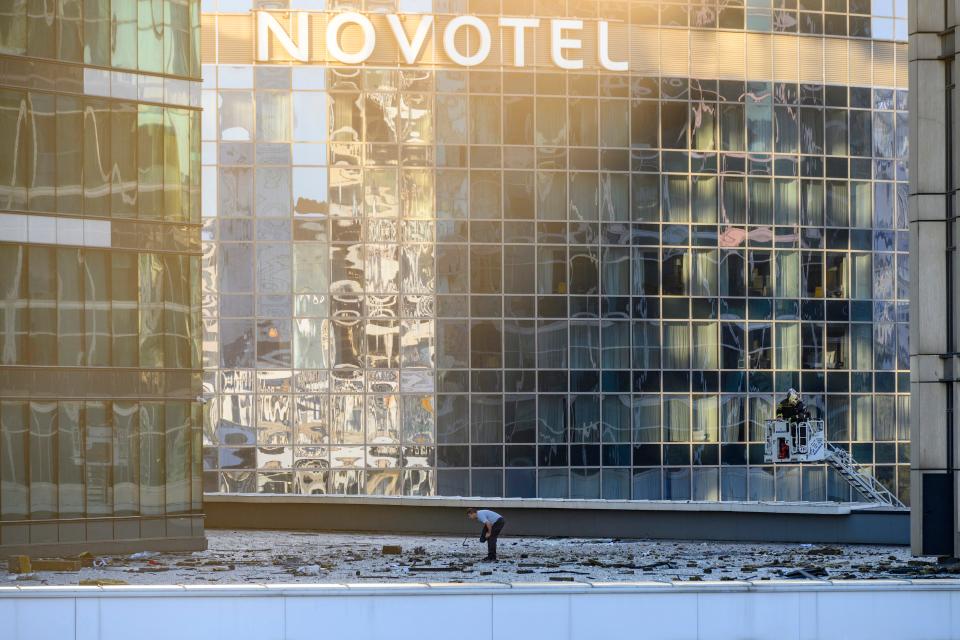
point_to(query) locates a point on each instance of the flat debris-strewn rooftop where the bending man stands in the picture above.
(285, 557)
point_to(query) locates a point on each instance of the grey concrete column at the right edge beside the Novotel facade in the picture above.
(933, 175)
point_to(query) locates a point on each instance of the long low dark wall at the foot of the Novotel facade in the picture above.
(769, 522)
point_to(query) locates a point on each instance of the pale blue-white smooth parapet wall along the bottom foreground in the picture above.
(854, 610)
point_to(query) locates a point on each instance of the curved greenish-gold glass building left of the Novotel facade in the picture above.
(100, 381)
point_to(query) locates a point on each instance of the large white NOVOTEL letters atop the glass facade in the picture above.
(566, 45)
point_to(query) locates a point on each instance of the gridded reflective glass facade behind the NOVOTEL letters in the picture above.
(502, 281)
